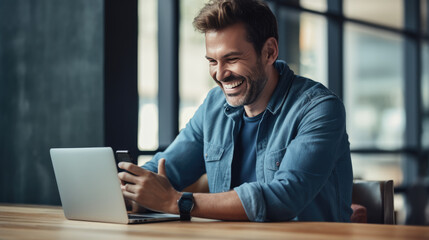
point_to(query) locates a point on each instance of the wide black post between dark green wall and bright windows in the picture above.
(120, 75)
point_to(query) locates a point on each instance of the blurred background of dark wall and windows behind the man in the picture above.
(130, 74)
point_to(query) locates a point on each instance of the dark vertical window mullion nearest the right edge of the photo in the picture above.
(413, 164)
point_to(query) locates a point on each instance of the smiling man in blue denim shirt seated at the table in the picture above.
(273, 144)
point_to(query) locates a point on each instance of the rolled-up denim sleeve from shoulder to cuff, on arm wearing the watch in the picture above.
(308, 163)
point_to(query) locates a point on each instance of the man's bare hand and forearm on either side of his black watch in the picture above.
(154, 191)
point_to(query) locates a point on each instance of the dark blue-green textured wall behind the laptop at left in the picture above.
(51, 90)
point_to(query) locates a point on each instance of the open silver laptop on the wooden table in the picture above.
(90, 188)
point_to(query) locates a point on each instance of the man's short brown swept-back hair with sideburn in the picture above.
(257, 17)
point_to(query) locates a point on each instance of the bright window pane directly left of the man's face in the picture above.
(194, 78)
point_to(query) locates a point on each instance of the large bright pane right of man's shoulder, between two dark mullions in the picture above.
(373, 87)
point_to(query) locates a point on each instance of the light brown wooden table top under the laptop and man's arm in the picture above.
(46, 222)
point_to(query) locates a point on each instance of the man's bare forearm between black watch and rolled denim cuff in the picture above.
(224, 206)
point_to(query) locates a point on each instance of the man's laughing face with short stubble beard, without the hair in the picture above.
(234, 65)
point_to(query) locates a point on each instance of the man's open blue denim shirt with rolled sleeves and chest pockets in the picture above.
(303, 165)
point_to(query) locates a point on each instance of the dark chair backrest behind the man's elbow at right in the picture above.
(377, 198)
